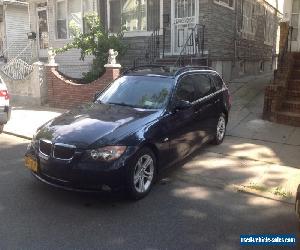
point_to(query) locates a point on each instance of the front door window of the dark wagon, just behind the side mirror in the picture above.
(186, 89)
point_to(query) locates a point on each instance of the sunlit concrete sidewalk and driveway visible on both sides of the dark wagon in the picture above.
(257, 156)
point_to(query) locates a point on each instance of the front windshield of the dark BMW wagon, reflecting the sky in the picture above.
(145, 92)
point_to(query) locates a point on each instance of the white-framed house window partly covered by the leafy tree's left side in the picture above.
(69, 16)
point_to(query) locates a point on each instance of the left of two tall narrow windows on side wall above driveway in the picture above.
(248, 16)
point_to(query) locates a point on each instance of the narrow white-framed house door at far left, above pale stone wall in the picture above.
(42, 32)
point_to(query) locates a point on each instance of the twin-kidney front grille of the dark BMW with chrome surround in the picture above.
(57, 150)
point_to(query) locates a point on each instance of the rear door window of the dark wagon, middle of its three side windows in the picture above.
(203, 85)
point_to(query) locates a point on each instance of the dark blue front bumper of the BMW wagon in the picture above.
(78, 175)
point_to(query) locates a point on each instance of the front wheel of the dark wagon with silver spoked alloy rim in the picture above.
(140, 182)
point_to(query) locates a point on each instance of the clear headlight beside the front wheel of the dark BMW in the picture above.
(108, 153)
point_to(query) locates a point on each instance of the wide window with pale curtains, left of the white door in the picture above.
(133, 15)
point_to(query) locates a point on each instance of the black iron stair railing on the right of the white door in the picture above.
(193, 46)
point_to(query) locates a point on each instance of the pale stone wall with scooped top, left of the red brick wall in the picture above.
(29, 91)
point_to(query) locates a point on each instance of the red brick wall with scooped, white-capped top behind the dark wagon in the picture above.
(66, 94)
